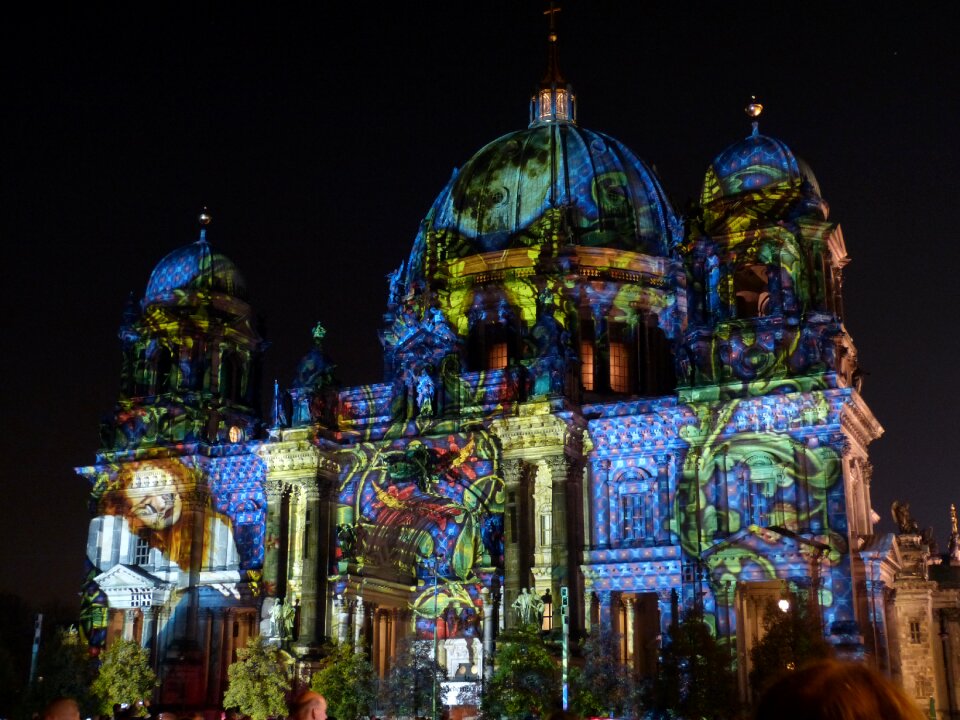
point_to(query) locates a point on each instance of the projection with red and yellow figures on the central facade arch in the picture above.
(430, 508)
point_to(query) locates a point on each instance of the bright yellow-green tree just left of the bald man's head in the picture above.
(259, 681)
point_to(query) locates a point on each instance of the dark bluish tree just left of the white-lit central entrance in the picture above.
(409, 686)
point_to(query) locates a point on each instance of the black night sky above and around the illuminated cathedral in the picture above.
(319, 142)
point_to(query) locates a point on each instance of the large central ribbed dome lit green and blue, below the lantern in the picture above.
(497, 200)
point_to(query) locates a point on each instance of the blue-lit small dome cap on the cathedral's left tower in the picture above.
(195, 267)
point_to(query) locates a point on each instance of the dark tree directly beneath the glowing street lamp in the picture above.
(790, 640)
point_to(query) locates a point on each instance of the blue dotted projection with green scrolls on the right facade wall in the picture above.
(741, 490)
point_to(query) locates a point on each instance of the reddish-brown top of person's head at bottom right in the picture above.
(835, 690)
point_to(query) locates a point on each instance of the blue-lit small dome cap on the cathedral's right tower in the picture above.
(751, 164)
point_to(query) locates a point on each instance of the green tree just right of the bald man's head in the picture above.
(346, 679)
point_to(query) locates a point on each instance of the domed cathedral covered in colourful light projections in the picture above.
(591, 404)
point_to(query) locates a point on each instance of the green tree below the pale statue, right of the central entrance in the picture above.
(526, 680)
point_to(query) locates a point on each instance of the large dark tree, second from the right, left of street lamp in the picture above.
(695, 678)
